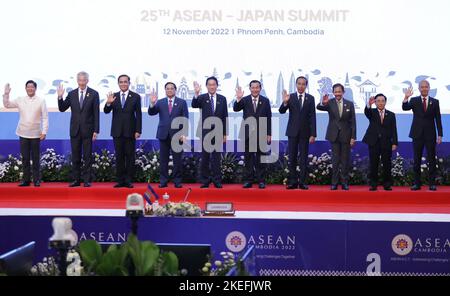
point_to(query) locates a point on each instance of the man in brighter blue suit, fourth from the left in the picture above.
(172, 130)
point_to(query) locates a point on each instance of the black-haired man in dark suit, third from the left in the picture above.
(126, 128)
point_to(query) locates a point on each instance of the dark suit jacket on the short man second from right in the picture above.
(386, 133)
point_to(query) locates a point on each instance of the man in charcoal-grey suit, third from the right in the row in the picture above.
(341, 132)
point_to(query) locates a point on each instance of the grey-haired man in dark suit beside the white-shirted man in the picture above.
(84, 125)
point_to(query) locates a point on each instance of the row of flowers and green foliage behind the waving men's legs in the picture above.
(56, 167)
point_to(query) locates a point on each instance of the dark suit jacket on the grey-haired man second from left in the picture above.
(84, 119)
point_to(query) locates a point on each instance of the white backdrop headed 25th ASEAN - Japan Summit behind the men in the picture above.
(382, 46)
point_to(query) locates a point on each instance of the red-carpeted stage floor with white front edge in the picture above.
(273, 202)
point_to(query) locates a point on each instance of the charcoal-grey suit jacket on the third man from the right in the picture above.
(340, 128)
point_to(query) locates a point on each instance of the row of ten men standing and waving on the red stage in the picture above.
(255, 134)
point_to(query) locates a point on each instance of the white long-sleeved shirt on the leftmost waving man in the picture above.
(33, 120)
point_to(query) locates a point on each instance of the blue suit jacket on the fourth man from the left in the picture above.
(179, 109)
